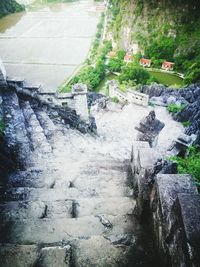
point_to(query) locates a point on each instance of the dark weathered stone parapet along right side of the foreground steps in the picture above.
(171, 205)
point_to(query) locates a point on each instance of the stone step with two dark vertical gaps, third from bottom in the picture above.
(19, 210)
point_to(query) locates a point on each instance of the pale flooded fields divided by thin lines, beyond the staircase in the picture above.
(47, 43)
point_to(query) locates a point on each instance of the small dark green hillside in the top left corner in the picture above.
(9, 6)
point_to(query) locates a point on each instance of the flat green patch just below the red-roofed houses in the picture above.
(167, 78)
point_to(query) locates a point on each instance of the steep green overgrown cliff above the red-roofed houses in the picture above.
(165, 30)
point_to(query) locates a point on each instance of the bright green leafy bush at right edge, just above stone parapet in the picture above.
(190, 164)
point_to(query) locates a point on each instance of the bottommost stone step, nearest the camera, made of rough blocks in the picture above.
(93, 251)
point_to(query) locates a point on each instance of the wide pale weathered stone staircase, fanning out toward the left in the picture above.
(62, 209)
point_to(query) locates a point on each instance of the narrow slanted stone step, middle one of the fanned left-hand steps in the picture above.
(35, 131)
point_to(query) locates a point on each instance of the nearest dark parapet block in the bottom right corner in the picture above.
(183, 240)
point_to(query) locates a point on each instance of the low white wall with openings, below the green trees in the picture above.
(130, 96)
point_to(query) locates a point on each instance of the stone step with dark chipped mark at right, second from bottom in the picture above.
(30, 231)
